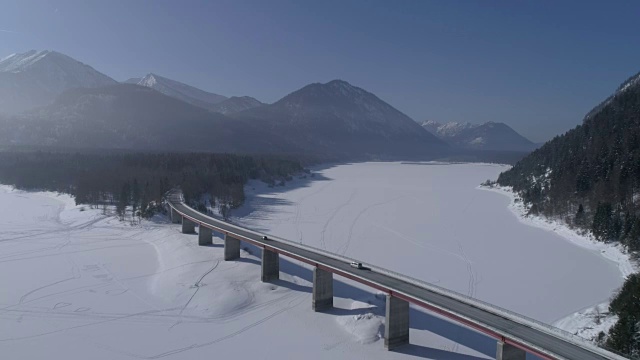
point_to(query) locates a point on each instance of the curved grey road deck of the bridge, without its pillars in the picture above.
(503, 327)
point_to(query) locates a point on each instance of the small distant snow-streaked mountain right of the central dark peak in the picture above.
(488, 136)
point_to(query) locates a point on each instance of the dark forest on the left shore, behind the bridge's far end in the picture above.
(138, 181)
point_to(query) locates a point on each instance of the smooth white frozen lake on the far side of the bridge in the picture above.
(430, 221)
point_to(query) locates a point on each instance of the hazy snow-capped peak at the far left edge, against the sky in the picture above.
(35, 78)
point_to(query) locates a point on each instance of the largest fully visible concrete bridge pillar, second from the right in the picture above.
(396, 326)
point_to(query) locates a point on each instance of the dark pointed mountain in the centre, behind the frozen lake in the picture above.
(343, 120)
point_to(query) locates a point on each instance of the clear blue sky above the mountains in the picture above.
(538, 66)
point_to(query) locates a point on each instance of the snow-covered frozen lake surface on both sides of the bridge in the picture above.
(77, 284)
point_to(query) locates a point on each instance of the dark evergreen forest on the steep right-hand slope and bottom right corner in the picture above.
(590, 178)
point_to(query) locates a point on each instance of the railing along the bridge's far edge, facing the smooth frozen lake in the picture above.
(508, 314)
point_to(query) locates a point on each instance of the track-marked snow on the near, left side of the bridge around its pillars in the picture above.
(82, 285)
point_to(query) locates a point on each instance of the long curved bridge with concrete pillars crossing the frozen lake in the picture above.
(516, 335)
